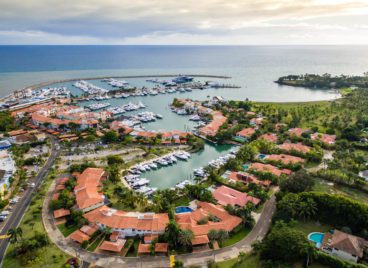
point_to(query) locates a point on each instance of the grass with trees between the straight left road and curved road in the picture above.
(49, 256)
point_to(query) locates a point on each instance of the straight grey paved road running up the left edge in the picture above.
(17, 215)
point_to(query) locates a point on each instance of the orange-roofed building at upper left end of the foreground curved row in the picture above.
(87, 190)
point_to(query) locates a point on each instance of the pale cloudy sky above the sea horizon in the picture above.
(183, 22)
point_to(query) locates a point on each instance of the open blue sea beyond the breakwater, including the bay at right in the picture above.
(254, 68)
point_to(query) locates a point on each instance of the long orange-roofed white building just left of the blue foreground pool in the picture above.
(128, 223)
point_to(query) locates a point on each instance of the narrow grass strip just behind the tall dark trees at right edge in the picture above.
(333, 188)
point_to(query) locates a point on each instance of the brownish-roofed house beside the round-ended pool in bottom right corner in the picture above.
(343, 245)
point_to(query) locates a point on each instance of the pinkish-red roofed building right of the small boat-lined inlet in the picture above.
(228, 196)
